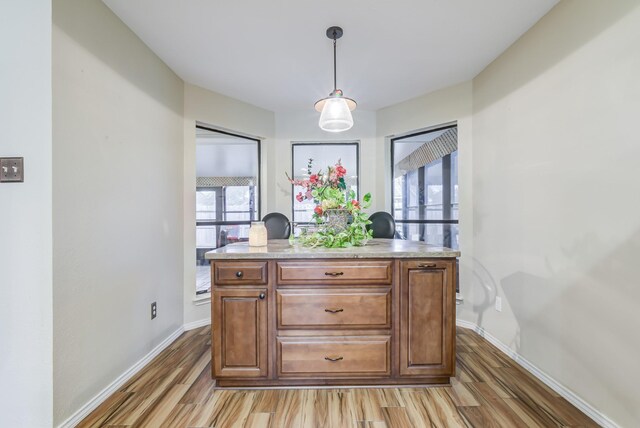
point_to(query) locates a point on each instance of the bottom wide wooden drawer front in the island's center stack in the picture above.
(334, 356)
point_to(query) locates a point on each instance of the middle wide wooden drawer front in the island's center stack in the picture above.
(322, 308)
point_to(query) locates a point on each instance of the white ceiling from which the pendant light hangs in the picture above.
(275, 54)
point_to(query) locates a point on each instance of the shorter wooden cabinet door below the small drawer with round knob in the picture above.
(239, 345)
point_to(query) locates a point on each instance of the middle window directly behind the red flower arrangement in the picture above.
(323, 155)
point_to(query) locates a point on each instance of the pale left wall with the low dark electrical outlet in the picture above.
(117, 201)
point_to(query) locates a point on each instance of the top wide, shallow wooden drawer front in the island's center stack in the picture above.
(335, 272)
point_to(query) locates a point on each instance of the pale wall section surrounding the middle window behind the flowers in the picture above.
(302, 126)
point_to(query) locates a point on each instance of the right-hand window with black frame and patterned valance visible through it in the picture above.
(425, 186)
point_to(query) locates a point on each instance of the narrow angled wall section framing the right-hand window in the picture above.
(447, 105)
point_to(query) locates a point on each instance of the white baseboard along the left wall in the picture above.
(84, 411)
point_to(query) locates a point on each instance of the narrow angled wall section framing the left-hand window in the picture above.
(224, 113)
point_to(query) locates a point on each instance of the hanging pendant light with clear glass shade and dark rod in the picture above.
(336, 109)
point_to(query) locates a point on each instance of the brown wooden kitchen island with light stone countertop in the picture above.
(382, 314)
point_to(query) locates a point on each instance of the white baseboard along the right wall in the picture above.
(560, 389)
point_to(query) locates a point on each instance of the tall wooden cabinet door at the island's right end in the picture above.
(427, 318)
